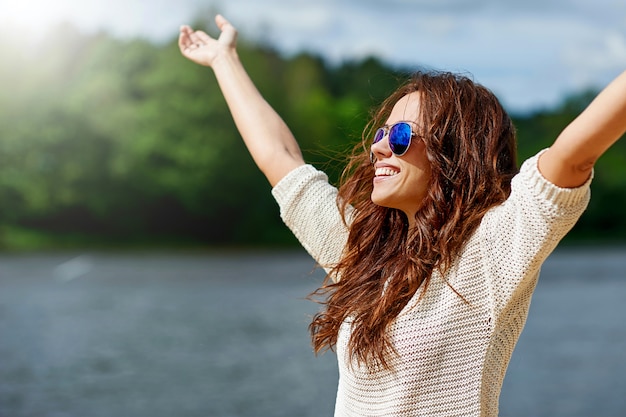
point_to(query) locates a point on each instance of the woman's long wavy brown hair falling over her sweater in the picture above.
(471, 146)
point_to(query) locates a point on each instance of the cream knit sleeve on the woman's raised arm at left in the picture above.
(308, 206)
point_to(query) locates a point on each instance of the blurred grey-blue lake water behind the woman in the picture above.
(225, 334)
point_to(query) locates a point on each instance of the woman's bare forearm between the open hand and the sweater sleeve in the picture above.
(267, 137)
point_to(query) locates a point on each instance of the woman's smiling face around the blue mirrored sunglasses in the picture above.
(401, 182)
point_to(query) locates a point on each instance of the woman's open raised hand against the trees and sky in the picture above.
(202, 49)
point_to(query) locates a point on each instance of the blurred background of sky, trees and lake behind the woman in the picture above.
(140, 244)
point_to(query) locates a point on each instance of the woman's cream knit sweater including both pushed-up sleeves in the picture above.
(452, 355)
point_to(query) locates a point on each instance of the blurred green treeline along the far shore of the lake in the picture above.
(118, 142)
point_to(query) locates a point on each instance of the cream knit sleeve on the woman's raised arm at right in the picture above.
(517, 236)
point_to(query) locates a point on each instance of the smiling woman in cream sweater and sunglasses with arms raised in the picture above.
(434, 240)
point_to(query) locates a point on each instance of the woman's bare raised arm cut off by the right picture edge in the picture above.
(568, 163)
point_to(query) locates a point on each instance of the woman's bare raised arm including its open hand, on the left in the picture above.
(269, 140)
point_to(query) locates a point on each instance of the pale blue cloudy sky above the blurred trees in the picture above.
(531, 53)
